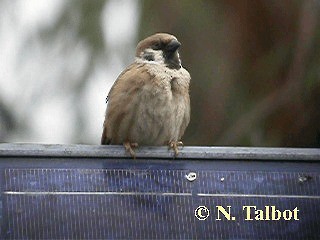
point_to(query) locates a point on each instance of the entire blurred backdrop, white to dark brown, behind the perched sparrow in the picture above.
(255, 67)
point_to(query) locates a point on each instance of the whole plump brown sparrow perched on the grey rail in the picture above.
(149, 103)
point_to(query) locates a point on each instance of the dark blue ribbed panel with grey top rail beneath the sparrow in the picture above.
(46, 195)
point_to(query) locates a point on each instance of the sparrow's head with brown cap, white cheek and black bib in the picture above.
(160, 48)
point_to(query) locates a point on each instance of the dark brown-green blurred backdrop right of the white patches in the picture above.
(255, 68)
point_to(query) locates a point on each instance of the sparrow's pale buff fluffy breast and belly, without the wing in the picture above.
(163, 106)
